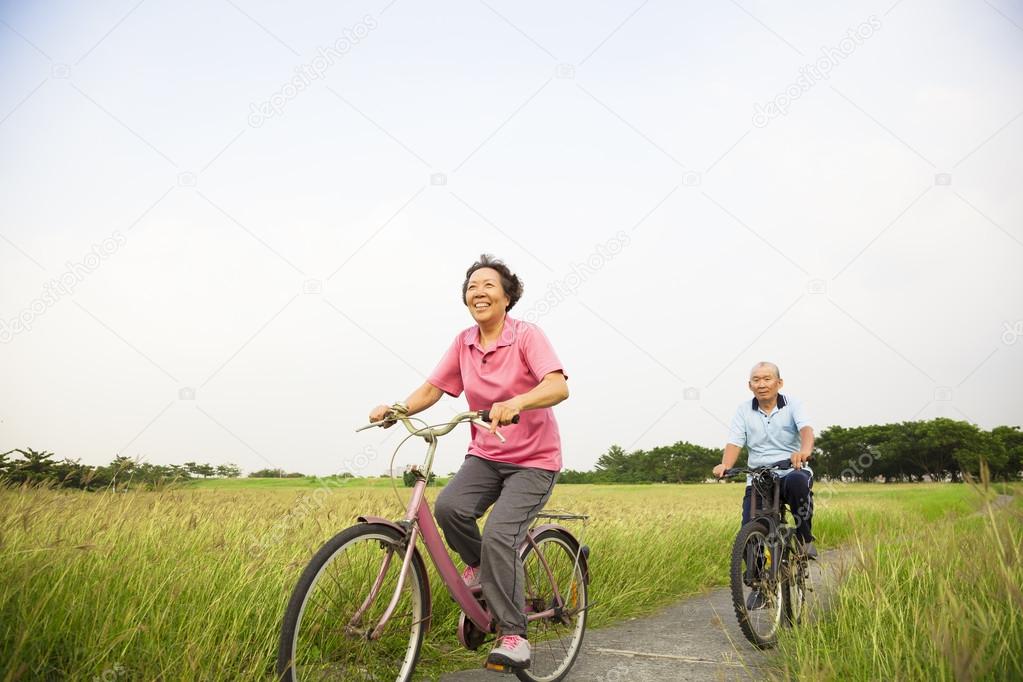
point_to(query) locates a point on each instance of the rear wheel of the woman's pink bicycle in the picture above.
(556, 641)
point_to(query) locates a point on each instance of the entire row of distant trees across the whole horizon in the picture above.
(910, 451)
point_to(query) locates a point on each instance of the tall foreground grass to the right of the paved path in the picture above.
(936, 602)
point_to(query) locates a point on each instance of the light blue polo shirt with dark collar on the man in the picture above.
(770, 437)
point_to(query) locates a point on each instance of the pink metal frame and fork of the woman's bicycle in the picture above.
(419, 523)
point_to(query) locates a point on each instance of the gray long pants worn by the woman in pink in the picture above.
(518, 495)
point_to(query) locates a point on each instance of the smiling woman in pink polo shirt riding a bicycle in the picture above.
(509, 367)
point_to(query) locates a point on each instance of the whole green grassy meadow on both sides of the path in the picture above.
(192, 583)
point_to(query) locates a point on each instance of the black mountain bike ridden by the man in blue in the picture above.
(770, 574)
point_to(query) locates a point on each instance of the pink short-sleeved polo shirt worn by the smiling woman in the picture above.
(521, 359)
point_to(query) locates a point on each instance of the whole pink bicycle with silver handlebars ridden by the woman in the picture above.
(363, 606)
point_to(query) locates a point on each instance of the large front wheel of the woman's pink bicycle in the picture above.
(329, 629)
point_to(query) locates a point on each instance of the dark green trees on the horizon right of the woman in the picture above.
(910, 451)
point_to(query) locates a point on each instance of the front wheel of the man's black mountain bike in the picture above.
(757, 597)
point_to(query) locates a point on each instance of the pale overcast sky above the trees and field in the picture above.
(230, 229)
